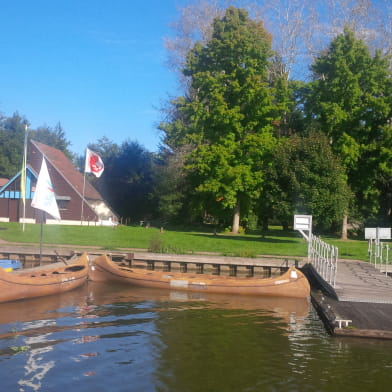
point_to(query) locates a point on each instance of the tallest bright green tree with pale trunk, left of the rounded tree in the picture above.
(227, 116)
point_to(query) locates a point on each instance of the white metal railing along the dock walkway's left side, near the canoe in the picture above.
(324, 258)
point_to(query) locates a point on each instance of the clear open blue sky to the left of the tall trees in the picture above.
(95, 66)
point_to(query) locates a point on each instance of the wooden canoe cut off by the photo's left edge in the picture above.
(42, 281)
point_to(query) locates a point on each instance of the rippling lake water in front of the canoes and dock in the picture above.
(117, 338)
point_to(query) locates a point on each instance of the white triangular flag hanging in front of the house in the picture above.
(44, 198)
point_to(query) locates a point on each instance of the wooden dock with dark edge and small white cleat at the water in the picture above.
(360, 304)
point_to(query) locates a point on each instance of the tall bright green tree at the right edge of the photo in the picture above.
(350, 101)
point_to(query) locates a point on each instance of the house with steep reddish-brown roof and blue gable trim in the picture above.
(75, 195)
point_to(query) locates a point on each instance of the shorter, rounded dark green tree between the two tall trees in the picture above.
(306, 178)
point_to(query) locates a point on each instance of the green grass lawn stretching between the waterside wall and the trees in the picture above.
(274, 242)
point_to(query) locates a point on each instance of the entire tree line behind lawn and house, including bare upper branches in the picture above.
(246, 142)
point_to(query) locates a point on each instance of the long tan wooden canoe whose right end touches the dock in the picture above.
(292, 283)
